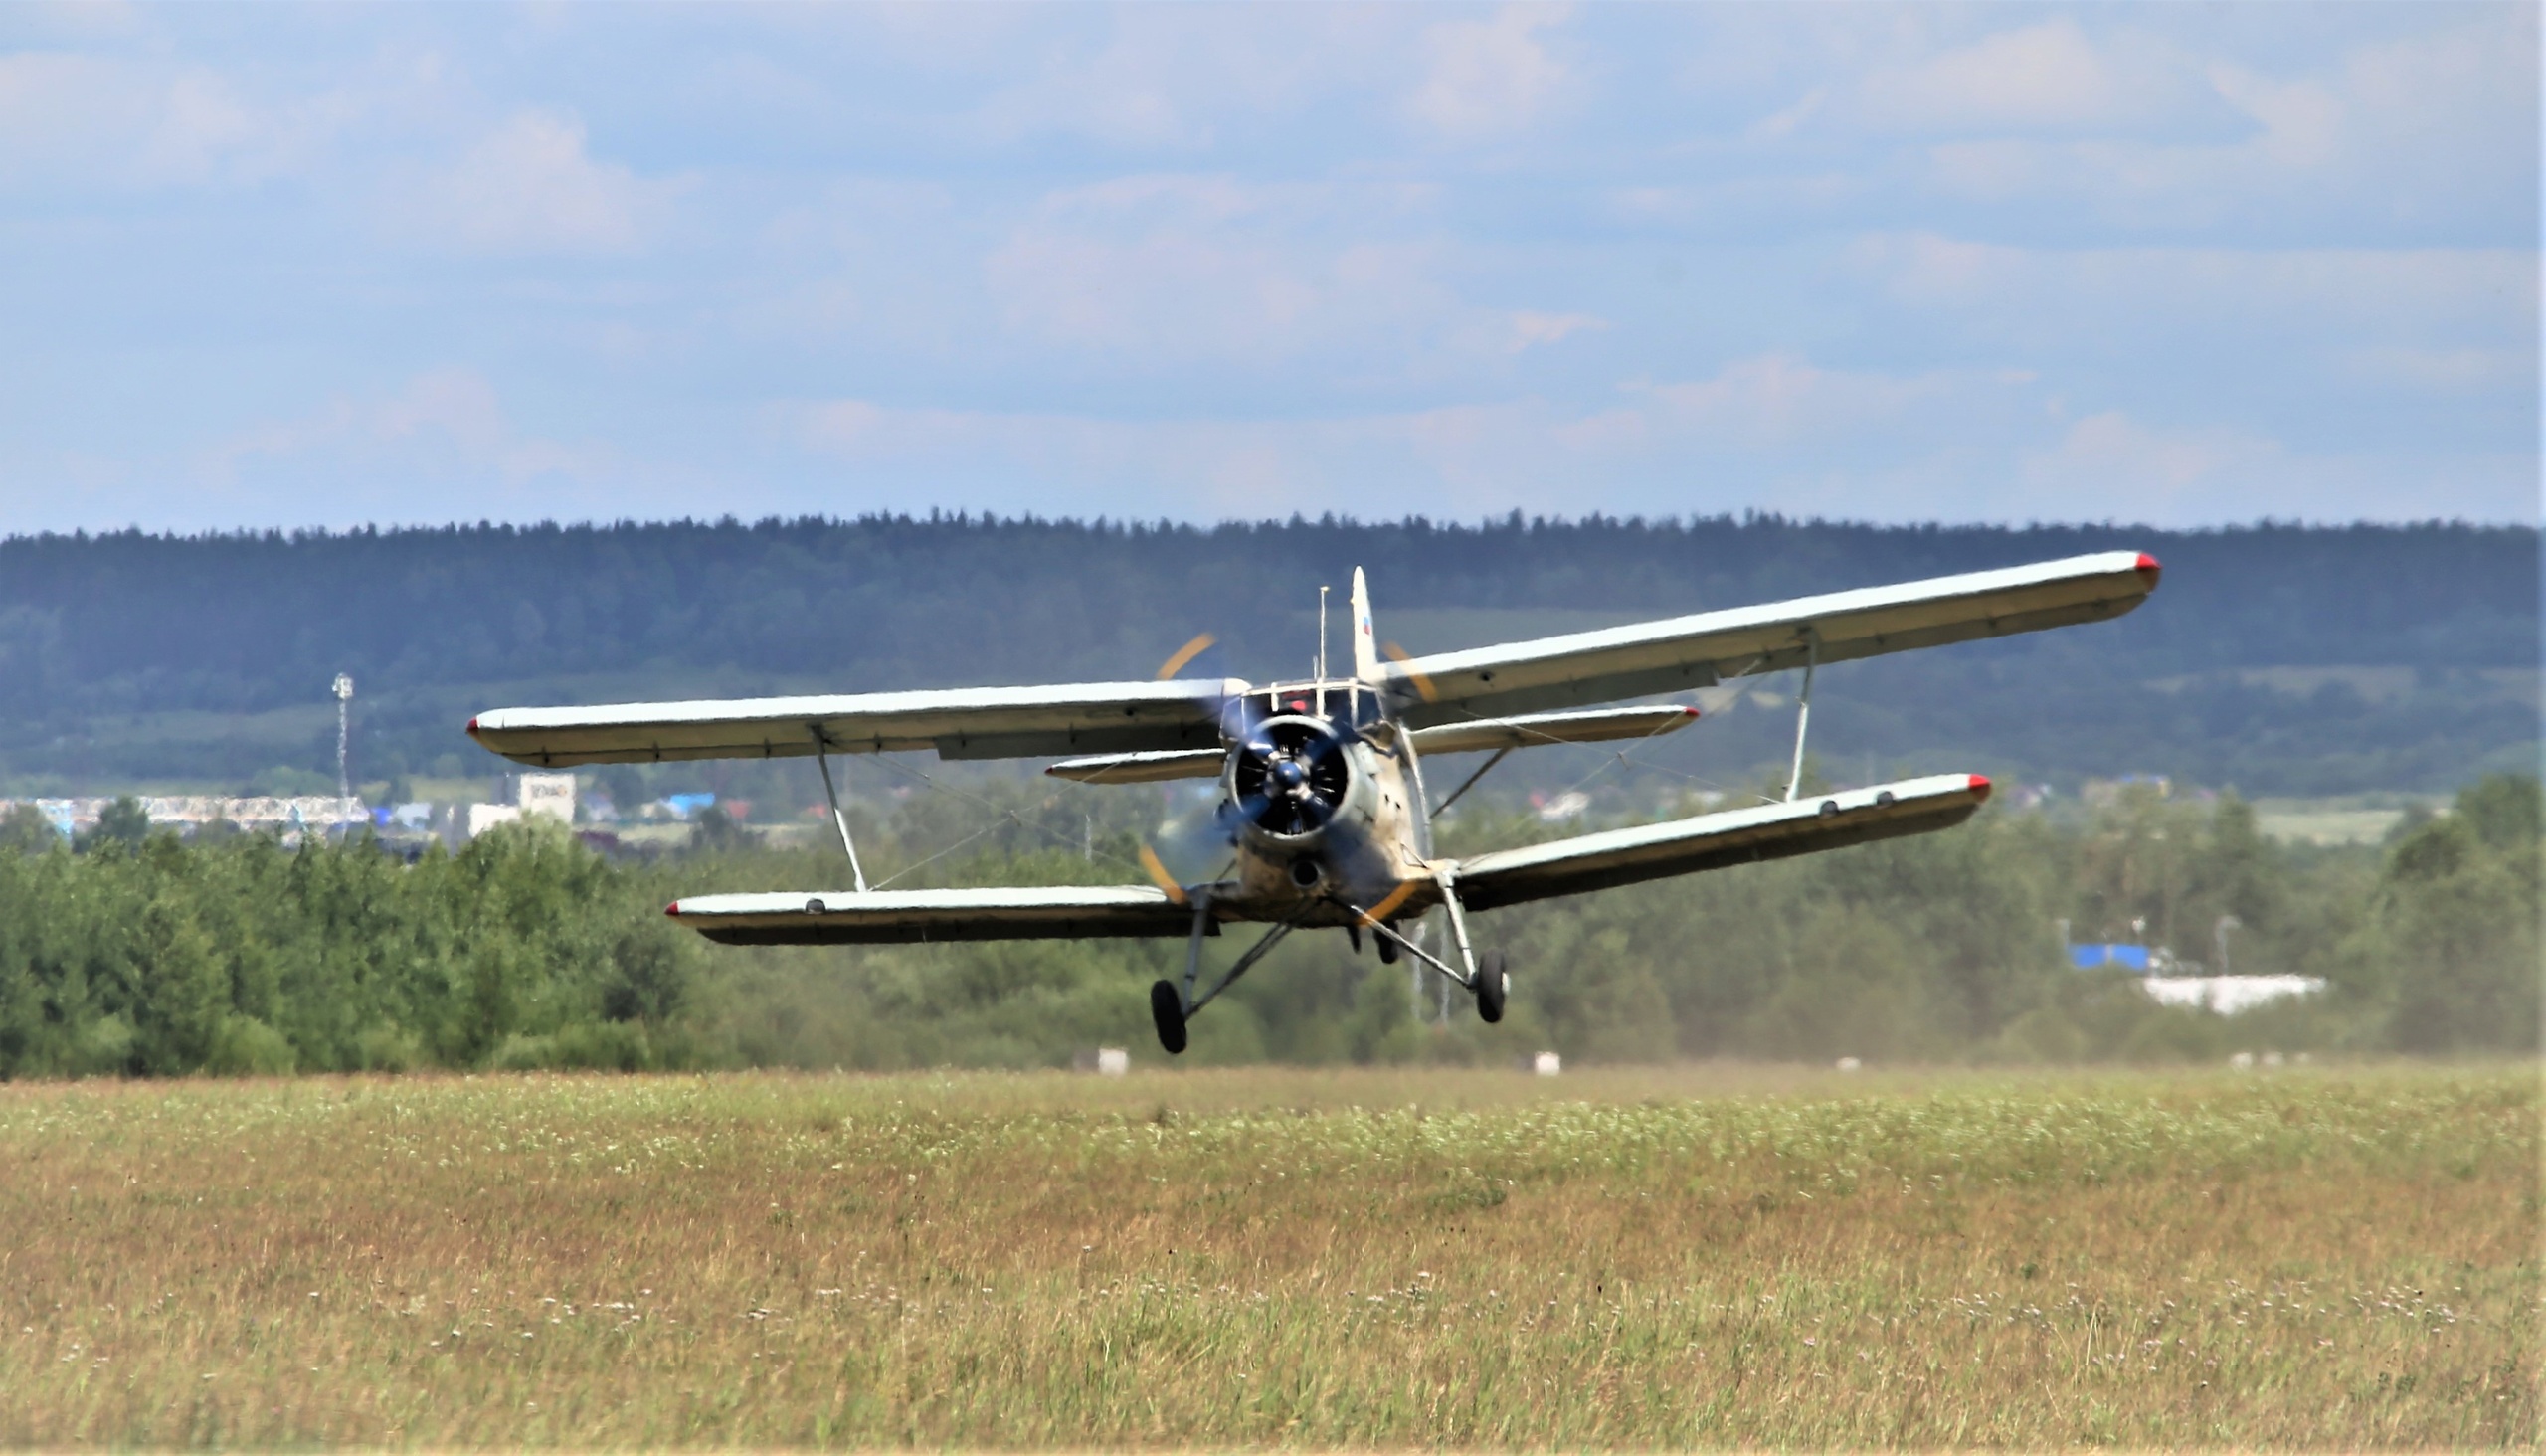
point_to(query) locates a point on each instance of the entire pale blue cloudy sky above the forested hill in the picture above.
(1977, 263)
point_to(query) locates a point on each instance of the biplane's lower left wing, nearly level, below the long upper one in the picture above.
(903, 918)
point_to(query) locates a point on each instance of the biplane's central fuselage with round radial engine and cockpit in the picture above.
(1320, 801)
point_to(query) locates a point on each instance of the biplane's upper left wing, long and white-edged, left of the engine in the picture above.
(959, 722)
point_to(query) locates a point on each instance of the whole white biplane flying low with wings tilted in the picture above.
(1323, 790)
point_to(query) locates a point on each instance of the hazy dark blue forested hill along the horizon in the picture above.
(2275, 658)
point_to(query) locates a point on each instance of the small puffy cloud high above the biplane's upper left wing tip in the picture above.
(533, 187)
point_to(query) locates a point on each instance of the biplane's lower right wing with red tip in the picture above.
(1715, 841)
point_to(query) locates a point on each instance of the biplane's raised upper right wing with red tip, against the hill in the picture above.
(1712, 645)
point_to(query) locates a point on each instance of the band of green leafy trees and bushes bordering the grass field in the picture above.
(136, 953)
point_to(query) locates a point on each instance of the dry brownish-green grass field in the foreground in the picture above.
(2331, 1259)
